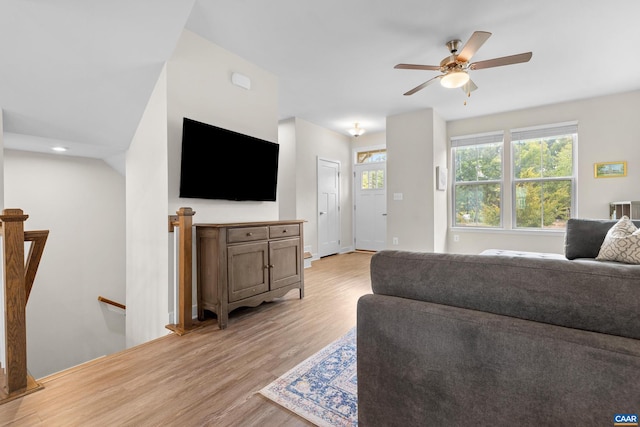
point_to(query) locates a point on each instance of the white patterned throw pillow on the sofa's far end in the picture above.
(622, 243)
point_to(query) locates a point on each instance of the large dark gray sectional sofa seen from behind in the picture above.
(500, 338)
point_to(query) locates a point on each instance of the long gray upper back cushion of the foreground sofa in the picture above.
(597, 296)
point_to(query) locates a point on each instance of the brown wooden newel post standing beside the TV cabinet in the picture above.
(183, 220)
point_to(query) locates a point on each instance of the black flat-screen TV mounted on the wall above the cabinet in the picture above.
(221, 164)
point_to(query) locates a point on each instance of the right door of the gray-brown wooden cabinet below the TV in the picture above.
(286, 263)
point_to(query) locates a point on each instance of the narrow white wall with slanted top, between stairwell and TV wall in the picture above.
(147, 222)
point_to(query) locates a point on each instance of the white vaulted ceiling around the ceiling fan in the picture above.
(81, 72)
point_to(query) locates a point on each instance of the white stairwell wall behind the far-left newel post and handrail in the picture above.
(82, 202)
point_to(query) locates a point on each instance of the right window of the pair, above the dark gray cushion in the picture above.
(543, 176)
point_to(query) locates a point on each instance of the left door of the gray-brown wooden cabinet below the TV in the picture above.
(248, 270)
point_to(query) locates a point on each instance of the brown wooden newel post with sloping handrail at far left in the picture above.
(18, 282)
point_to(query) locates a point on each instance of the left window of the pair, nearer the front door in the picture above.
(477, 187)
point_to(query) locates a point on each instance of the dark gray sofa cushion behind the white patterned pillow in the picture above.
(584, 237)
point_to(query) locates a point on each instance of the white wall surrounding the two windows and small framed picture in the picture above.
(608, 129)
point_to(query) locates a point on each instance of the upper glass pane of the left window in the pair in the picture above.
(478, 162)
